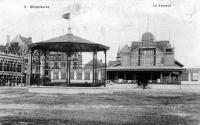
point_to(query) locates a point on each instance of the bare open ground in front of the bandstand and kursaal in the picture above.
(137, 106)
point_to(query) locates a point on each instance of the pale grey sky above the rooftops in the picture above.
(113, 23)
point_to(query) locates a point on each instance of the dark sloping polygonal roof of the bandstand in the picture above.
(68, 43)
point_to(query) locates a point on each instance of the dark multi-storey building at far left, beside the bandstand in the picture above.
(14, 60)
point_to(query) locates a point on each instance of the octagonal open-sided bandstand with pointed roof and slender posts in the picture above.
(67, 44)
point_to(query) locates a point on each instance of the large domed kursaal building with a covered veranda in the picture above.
(148, 61)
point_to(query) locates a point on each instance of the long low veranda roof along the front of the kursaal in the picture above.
(145, 68)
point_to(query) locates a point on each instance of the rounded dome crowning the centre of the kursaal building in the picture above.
(147, 38)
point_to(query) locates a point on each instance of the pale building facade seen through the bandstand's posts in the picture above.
(56, 68)
